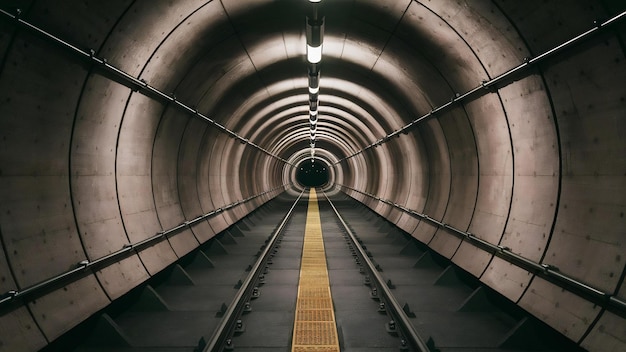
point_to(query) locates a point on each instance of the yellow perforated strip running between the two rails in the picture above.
(314, 327)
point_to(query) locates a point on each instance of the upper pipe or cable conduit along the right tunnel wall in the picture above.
(499, 81)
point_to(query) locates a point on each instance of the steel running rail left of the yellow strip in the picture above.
(235, 308)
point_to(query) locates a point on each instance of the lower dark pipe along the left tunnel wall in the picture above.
(99, 263)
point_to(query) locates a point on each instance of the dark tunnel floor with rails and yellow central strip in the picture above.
(312, 273)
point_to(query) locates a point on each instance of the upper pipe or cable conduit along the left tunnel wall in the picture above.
(136, 84)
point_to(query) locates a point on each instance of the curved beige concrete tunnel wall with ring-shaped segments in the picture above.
(89, 165)
